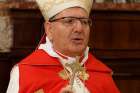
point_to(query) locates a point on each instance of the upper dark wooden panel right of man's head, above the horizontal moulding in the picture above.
(116, 30)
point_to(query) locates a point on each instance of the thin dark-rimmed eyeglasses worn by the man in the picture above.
(70, 21)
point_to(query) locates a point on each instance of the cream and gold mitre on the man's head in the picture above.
(50, 8)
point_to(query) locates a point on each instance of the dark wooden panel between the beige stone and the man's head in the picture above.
(27, 28)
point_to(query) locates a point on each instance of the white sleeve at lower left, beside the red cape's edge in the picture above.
(14, 80)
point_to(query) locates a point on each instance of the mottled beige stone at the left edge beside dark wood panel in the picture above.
(6, 32)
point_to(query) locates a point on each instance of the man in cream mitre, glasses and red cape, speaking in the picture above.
(62, 64)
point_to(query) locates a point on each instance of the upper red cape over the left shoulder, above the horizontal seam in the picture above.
(39, 57)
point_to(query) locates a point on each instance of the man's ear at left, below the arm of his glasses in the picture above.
(48, 29)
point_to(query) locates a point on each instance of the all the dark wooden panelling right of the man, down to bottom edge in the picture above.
(115, 40)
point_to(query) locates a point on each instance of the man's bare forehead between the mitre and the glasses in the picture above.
(74, 11)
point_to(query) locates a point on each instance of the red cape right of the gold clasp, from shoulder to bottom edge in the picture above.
(102, 74)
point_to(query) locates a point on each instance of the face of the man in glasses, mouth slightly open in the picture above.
(69, 36)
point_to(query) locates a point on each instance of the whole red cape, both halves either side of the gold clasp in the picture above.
(40, 71)
